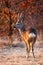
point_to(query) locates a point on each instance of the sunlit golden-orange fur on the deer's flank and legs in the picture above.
(27, 41)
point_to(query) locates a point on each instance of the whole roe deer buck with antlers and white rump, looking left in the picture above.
(29, 38)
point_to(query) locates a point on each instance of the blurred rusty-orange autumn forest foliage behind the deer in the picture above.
(32, 14)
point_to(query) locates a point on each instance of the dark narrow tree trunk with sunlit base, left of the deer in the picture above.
(10, 24)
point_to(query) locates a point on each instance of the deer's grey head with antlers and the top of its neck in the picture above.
(19, 24)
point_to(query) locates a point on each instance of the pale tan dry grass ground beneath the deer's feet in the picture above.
(16, 56)
